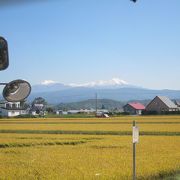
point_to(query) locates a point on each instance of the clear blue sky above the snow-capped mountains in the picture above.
(77, 41)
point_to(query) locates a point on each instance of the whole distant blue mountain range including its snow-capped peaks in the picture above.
(115, 89)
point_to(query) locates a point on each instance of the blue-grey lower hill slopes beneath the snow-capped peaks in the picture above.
(119, 94)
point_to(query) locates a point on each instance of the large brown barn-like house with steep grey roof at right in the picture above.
(161, 104)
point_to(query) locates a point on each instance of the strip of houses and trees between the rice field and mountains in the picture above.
(40, 108)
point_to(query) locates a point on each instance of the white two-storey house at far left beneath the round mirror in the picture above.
(12, 109)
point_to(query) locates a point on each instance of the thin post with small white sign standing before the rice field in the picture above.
(135, 140)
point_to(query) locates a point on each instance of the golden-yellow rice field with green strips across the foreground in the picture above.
(88, 148)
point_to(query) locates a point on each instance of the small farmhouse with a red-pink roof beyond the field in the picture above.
(134, 108)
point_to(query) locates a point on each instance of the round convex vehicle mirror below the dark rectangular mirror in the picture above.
(16, 90)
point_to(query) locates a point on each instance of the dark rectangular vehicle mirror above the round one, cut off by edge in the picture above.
(4, 58)
